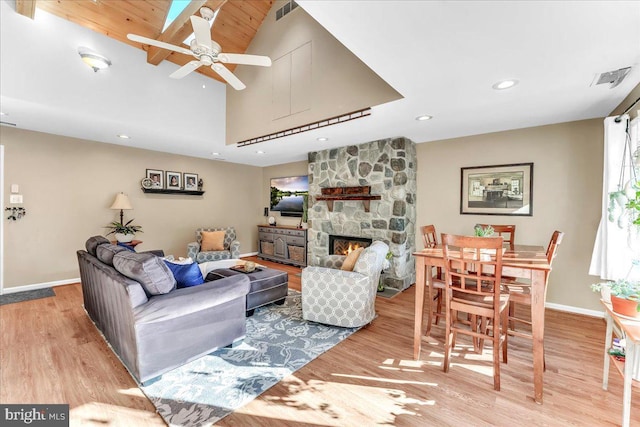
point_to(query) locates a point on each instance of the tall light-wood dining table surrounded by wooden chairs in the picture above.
(519, 261)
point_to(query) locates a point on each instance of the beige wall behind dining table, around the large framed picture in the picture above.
(567, 191)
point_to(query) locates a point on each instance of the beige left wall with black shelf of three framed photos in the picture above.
(68, 185)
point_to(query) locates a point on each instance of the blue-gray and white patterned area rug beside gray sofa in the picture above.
(278, 342)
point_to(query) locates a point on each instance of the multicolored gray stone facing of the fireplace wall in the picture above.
(389, 167)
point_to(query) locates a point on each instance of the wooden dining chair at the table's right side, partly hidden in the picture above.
(520, 292)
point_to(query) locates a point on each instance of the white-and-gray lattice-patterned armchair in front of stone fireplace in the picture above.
(344, 298)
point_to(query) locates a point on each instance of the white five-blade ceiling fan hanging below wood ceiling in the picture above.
(206, 51)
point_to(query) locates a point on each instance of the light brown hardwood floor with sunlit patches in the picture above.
(50, 352)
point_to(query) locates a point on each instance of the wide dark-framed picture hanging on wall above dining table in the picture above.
(497, 190)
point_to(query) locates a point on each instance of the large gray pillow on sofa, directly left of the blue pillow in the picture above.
(147, 269)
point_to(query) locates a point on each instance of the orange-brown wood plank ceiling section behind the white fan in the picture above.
(234, 28)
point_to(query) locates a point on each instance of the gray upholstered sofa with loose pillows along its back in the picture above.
(152, 326)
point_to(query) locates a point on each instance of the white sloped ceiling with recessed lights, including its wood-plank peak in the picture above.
(442, 56)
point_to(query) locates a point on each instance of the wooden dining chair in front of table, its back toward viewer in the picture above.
(473, 267)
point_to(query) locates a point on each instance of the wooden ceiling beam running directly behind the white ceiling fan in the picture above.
(179, 29)
